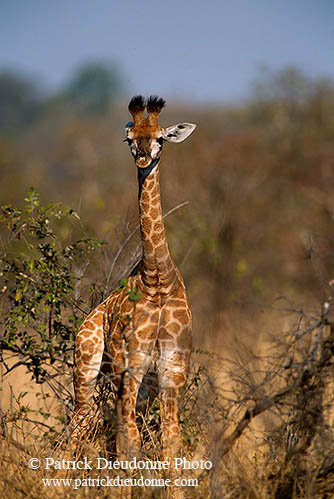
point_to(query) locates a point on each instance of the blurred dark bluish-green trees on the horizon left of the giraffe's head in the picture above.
(92, 90)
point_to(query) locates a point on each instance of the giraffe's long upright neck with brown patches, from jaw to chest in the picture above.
(159, 272)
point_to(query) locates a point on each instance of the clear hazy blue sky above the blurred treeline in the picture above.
(205, 50)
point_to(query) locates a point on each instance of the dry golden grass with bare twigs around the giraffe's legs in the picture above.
(264, 423)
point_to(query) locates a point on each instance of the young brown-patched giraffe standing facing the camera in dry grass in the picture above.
(129, 334)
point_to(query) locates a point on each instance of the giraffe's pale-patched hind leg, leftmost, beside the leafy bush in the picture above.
(89, 347)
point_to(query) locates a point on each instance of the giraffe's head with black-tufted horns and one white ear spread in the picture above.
(144, 134)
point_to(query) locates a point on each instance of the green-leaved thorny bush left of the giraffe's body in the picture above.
(40, 276)
